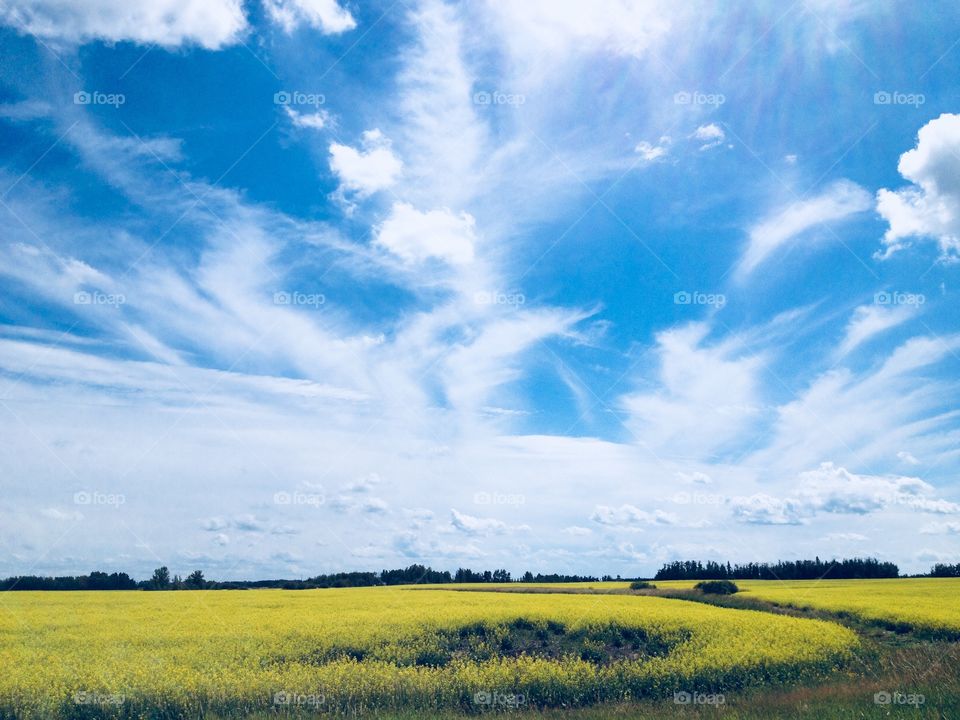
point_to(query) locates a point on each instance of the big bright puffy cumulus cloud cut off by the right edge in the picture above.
(931, 206)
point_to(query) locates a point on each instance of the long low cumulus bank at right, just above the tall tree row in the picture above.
(836, 490)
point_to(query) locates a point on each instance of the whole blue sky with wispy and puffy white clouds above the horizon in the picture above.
(292, 286)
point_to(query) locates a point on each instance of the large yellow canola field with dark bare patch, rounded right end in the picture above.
(232, 653)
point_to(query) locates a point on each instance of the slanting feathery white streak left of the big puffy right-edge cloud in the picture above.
(784, 226)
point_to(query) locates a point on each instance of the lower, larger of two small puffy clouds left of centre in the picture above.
(416, 236)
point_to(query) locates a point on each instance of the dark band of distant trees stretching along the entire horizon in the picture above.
(856, 568)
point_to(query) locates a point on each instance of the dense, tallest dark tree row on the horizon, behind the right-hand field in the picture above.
(853, 568)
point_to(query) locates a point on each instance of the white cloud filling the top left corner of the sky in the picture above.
(211, 24)
